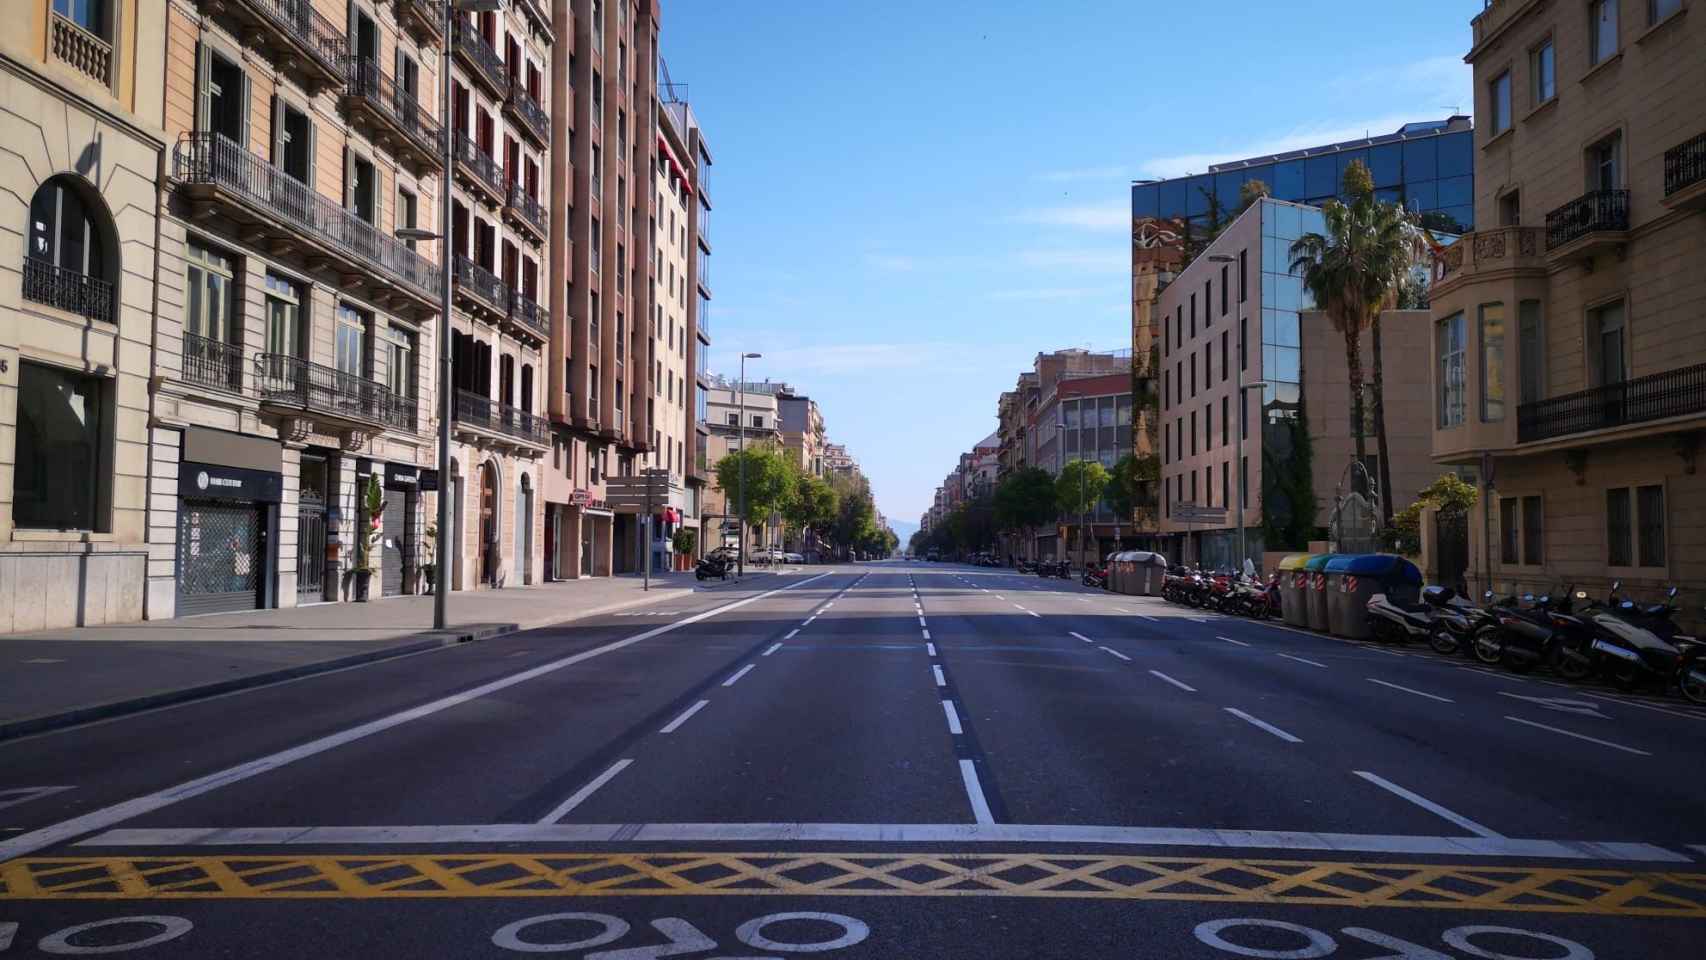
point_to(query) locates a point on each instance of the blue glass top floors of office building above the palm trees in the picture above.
(1425, 166)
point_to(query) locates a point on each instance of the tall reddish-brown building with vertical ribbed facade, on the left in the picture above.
(603, 356)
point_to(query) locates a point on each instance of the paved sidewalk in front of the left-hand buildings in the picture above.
(73, 676)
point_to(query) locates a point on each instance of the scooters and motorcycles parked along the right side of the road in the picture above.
(1574, 635)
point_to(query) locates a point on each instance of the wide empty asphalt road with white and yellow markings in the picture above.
(873, 761)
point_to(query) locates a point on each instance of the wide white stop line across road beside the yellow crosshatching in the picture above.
(886, 835)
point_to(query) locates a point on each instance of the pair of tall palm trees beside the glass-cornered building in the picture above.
(1354, 272)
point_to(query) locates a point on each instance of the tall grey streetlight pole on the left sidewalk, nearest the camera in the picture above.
(441, 593)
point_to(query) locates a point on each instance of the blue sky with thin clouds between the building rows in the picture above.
(912, 200)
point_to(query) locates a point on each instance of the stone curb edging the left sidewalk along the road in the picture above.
(407, 645)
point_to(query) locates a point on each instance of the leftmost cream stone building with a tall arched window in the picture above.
(84, 137)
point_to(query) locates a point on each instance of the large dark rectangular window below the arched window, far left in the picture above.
(61, 477)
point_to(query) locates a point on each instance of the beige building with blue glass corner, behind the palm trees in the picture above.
(1243, 352)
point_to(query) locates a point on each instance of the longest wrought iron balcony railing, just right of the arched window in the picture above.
(211, 159)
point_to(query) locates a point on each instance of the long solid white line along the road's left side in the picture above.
(141, 806)
